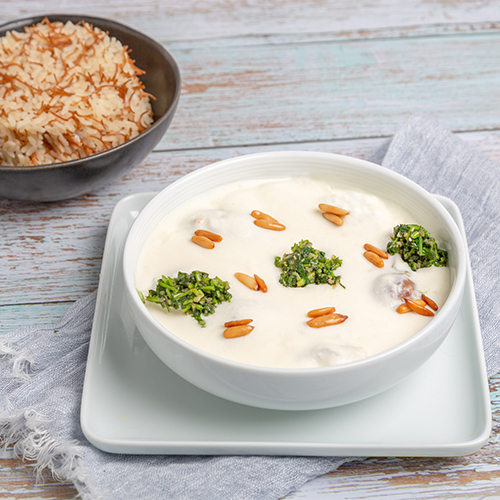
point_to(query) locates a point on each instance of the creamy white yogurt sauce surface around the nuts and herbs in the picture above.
(281, 337)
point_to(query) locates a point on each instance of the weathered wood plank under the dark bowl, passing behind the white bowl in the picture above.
(57, 255)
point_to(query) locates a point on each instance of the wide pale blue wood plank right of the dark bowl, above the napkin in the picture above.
(326, 91)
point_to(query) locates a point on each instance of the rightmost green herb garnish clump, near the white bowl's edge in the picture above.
(416, 247)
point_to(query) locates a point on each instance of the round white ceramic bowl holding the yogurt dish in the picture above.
(298, 389)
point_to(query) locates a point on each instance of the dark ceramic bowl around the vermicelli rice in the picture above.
(60, 181)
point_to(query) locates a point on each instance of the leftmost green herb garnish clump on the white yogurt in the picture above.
(196, 294)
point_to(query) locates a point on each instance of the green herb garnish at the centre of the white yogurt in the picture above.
(307, 266)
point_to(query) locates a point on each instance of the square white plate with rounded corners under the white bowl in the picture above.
(133, 403)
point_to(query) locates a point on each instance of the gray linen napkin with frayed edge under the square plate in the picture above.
(42, 368)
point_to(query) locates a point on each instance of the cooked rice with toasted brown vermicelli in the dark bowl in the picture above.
(67, 91)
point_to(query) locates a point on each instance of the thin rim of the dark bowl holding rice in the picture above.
(20, 23)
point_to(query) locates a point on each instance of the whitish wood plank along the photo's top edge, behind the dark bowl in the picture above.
(188, 21)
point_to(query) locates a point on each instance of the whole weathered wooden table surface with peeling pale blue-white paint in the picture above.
(334, 75)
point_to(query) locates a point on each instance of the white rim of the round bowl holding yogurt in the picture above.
(455, 294)
